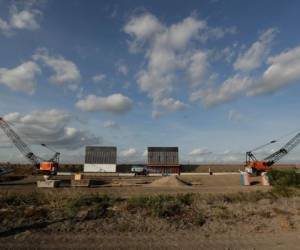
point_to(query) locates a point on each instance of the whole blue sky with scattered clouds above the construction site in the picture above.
(215, 78)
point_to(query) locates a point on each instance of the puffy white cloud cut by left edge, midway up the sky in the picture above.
(22, 78)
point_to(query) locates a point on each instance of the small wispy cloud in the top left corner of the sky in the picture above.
(27, 18)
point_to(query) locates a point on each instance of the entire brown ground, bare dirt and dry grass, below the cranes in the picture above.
(192, 212)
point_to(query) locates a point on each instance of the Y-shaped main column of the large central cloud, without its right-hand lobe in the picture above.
(165, 51)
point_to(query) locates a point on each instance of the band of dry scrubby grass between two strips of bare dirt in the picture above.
(72, 211)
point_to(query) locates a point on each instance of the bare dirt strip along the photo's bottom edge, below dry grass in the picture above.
(161, 240)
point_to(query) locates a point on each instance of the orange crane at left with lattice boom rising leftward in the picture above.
(46, 167)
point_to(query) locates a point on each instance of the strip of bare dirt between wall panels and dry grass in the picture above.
(140, 185)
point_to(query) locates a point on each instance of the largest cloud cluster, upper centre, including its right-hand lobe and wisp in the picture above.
(168, 50)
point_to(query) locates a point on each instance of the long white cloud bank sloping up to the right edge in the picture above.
(282, 70)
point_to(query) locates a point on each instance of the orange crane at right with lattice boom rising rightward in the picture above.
(256, 167)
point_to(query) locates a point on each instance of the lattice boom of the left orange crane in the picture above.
(19, 143)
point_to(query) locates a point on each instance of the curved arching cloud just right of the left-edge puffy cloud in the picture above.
(66, 72)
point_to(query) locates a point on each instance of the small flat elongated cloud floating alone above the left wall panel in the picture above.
(116, 103)
